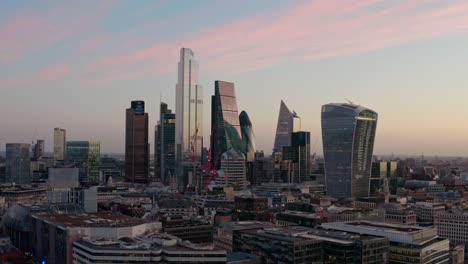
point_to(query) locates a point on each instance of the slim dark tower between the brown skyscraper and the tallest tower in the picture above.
(165, 145)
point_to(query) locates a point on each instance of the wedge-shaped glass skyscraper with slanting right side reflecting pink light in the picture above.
(225, 128)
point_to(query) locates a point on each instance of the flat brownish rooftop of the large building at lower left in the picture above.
(101, 219)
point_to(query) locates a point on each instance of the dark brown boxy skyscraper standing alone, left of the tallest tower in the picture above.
(136, 143)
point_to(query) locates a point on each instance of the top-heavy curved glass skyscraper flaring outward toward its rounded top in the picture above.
(348, 133)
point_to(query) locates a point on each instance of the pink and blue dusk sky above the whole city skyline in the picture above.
(78, 64)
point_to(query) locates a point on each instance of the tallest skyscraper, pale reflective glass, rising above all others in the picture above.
(189, 112)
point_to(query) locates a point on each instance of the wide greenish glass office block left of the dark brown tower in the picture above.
(85, 155)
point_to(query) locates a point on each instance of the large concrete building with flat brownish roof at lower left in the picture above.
(54, 234)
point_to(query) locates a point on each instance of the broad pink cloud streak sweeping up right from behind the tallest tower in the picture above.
(312, 30)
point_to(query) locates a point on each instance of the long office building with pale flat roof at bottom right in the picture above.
(408, 244)
